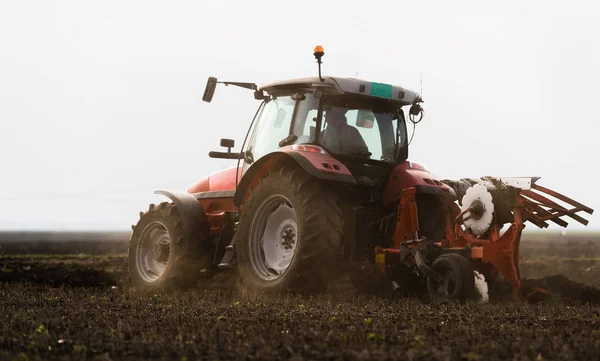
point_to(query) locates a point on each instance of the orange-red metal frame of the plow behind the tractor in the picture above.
(499, 250)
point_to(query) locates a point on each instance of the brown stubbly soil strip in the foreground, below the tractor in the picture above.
(52, 323)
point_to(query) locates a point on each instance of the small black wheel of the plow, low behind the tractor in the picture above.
(458, 278)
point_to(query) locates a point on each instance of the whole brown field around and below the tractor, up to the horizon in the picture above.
(68, 299)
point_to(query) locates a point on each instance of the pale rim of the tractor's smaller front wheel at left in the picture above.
(153, 250)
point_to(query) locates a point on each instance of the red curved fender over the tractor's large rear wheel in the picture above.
(319, 164)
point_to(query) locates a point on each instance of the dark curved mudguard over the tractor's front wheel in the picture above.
(193, 217)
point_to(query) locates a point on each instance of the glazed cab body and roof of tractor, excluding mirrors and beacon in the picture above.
(349, 118)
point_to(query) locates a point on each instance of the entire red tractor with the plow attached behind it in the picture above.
(323, 184)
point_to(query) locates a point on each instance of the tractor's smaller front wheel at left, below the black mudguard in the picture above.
(159, 254)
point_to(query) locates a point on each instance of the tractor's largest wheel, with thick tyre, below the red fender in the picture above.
(289, 233)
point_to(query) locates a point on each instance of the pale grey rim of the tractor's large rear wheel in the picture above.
(273, 238)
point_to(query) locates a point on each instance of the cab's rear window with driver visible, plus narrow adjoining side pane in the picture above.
(355, 126)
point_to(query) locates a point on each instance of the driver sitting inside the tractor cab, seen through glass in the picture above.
(341, 138)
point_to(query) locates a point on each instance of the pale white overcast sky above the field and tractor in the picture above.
(100, 102)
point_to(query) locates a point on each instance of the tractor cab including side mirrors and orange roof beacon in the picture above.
(358, 122)
